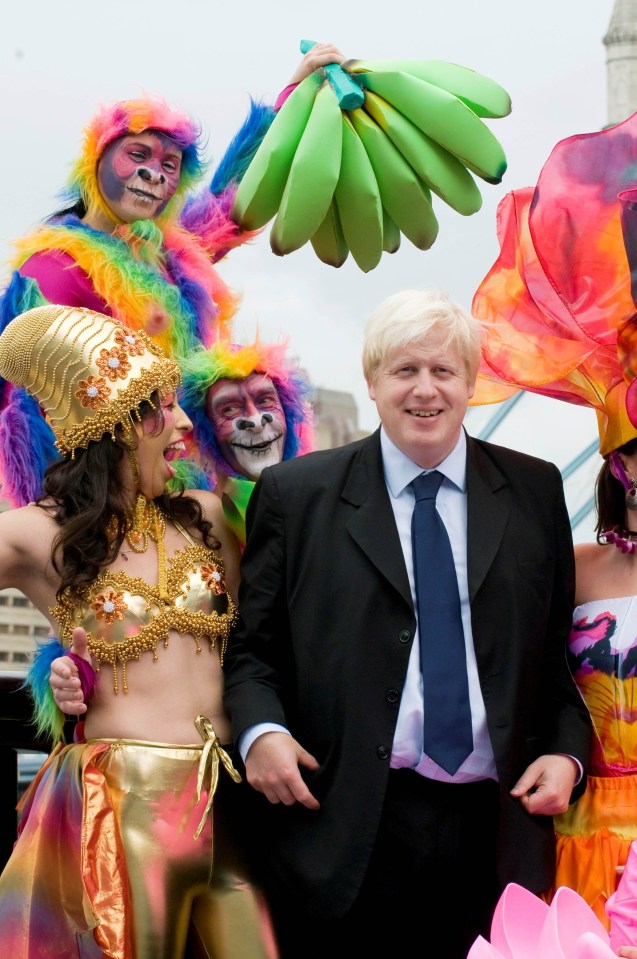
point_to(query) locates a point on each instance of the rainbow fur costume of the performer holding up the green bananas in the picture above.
(155, 275)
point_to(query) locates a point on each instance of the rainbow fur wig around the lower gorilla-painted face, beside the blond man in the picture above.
(226, 360)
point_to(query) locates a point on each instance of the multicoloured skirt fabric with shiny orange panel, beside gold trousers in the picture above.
(64, 891)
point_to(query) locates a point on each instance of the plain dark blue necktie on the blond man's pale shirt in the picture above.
(447, 731)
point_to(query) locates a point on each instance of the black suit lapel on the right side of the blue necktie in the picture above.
(487, 514)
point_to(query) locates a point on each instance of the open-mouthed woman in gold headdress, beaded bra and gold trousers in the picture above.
(122, 852)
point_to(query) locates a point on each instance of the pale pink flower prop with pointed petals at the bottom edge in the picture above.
(525, 927)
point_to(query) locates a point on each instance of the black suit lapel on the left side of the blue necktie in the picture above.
(373, 526)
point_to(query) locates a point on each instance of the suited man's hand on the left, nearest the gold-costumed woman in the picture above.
(272, 767)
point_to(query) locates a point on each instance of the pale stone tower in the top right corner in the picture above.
(621, 61)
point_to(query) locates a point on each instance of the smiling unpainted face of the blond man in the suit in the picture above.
(421, 392)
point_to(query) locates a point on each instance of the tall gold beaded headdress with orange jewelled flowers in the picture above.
(87, 371)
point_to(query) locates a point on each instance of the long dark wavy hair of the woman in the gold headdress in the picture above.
(84, 492)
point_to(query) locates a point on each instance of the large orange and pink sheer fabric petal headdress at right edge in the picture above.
(558, 302)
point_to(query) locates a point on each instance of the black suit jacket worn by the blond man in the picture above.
(325, 633)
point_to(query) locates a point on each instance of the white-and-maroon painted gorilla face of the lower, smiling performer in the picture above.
(248, 421)
